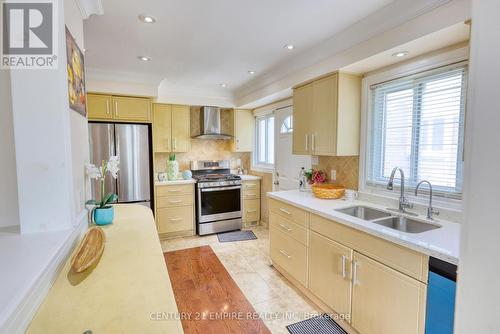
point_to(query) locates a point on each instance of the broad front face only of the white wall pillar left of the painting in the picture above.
(43, 149)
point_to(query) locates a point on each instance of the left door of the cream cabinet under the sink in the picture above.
(329, 272)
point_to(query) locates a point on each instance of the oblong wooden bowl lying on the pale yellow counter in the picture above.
(89, 250)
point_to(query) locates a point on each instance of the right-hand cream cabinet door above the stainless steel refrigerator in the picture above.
(136, 109)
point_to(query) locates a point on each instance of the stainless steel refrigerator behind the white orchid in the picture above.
(131, 143)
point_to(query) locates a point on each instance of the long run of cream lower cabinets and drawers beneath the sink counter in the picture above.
(376, 285)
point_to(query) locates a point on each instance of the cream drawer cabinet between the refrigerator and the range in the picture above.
(175, 210)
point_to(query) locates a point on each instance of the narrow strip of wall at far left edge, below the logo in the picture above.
(9, 209)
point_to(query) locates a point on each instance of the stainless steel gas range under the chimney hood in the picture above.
(219, 200)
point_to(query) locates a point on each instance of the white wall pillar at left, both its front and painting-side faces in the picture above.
(51, 141)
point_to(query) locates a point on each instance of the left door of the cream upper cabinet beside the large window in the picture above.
(302, 108)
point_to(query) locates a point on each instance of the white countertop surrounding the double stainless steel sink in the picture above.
(442, 243)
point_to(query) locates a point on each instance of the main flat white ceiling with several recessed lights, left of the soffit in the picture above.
(195, 45)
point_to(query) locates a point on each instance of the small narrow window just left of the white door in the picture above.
(264, 153)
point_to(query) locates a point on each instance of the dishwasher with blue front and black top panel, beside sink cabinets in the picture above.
(441, 292)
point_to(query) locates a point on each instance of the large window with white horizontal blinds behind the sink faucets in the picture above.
(417, 124)
